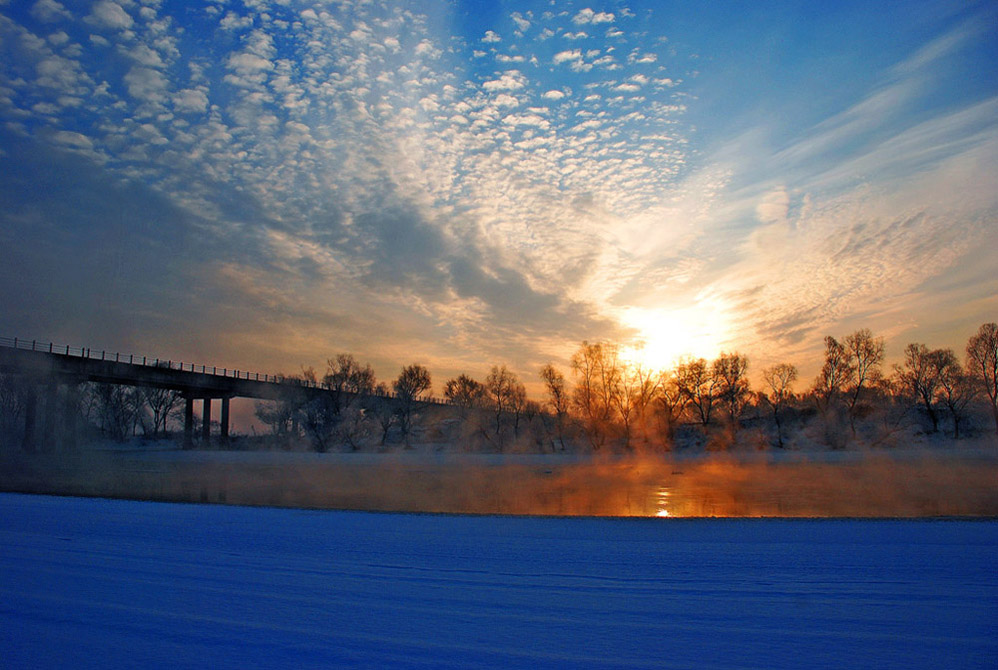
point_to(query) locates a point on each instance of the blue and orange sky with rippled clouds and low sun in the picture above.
(263, 185)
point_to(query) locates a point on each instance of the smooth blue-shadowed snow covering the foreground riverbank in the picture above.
(104, 583)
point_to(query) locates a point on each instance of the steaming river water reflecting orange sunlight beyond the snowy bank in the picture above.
(911, 485)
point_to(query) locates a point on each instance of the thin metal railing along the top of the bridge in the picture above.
(148, 361)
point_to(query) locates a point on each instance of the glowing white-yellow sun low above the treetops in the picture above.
(665, 336)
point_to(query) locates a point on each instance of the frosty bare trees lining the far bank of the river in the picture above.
(601, 402)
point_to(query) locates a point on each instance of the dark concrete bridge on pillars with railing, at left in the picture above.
(48, 367)
